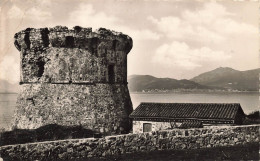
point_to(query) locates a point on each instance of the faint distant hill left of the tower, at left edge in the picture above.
(6, 87)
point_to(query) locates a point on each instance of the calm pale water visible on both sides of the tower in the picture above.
(248, 101)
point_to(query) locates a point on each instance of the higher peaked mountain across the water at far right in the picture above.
(229, 78)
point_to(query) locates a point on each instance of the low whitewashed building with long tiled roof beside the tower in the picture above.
(162, 116)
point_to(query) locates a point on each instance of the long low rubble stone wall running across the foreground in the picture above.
(131, 143)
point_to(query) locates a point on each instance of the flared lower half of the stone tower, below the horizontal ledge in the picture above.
(103, 108)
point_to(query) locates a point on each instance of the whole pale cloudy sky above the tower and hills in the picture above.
(174, 38)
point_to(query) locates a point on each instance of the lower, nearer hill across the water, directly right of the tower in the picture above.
(147, 82)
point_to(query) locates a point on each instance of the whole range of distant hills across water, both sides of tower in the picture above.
(220, 78)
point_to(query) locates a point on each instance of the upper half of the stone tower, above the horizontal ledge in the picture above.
(78, 55)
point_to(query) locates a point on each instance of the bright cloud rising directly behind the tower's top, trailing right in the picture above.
(86, 15)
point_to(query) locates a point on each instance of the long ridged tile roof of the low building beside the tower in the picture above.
(225, 111)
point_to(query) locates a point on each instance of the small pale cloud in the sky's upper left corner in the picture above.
(34, 13)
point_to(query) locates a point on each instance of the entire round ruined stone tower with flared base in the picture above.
(73, 77)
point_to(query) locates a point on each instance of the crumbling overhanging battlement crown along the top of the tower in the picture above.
(78, 37)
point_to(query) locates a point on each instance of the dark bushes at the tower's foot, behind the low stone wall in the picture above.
(45, 133)
